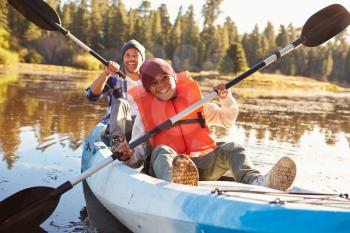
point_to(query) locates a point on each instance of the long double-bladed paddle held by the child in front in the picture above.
(34, 205)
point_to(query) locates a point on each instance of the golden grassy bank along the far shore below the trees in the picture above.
(258, 84)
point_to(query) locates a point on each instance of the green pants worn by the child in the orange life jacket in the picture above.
(229, 156)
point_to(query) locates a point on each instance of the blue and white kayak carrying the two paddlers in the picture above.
(146, 204)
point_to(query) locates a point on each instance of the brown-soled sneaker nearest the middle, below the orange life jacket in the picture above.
(184, 171)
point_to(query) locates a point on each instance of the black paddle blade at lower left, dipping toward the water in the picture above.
(27, 208)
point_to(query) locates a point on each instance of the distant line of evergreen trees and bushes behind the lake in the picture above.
(105, 25)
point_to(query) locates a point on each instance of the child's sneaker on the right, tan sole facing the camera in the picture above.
(280, 177)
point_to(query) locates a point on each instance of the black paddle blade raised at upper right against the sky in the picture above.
(325, 24)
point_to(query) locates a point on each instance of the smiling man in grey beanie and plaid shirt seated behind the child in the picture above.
(110, 85)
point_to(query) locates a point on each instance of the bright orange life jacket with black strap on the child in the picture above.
(185, 138)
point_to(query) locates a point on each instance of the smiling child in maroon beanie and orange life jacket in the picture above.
(186, 153)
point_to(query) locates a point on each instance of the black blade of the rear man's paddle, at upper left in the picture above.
(38, 12)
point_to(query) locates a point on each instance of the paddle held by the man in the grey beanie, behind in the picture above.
(43, 16)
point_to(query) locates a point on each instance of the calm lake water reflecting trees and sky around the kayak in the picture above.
(45, 119)
